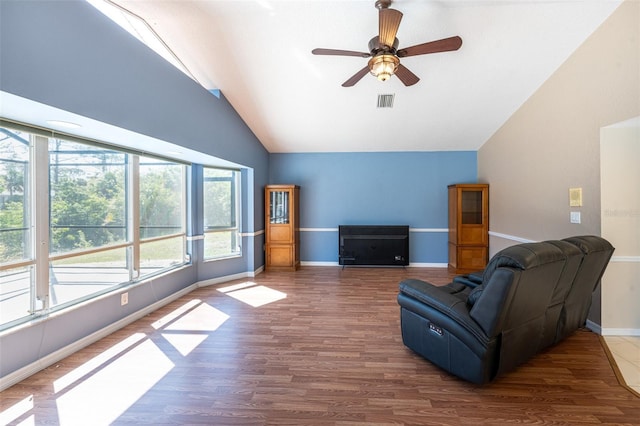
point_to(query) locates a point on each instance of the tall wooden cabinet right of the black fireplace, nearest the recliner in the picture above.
(468, 227)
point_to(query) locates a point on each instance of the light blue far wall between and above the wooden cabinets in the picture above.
(379, 188)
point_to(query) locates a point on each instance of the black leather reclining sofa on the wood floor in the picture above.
(529, 296)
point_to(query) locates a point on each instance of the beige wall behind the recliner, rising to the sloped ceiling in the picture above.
(552, 143)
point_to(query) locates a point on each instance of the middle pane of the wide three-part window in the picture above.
(88, 235)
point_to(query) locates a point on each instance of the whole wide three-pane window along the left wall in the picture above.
(110, 218)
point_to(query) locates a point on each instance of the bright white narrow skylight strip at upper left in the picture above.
(140, 29)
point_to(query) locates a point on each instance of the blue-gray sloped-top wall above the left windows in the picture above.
(69, 55)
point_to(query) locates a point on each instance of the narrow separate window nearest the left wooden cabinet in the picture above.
(221, 213)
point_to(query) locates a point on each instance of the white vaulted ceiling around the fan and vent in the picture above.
(258, 53)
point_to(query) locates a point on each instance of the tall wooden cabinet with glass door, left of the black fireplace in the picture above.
(282, 229)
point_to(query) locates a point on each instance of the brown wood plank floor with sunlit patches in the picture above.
(321, 346)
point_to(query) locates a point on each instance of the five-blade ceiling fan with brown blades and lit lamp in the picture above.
(384, 53)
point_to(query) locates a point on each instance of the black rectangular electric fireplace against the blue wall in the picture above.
(375, 245)
